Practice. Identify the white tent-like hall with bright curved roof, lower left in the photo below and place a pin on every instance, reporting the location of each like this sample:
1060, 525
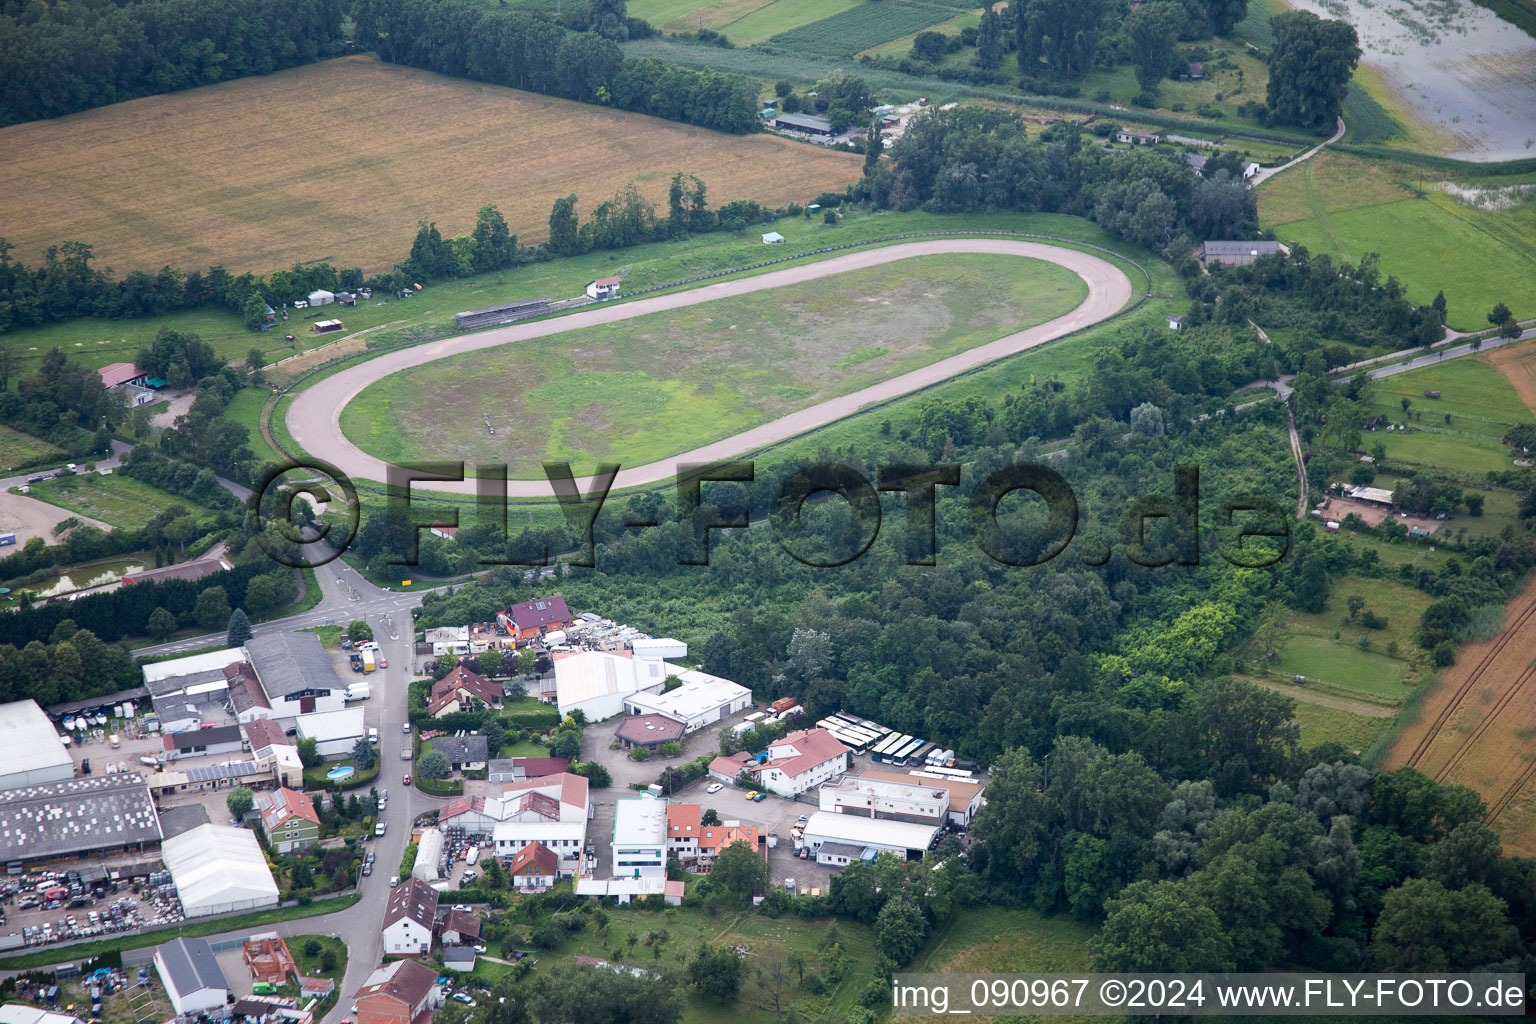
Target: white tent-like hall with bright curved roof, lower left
219, 870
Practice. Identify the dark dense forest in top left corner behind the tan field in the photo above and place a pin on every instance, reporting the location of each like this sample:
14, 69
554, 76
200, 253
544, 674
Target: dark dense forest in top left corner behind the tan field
65, 58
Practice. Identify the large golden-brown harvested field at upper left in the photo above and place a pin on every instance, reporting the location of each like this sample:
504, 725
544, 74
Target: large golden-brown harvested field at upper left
300, 183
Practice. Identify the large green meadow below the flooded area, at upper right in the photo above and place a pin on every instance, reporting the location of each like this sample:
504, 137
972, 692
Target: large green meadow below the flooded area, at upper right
1428, 239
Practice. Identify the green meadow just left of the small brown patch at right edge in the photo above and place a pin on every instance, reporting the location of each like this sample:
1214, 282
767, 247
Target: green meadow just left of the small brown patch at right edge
1458, 434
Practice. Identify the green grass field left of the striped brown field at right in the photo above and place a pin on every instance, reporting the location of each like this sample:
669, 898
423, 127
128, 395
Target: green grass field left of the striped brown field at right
1326, 647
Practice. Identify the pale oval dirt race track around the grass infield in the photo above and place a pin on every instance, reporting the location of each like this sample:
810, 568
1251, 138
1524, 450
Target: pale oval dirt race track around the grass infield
316, 417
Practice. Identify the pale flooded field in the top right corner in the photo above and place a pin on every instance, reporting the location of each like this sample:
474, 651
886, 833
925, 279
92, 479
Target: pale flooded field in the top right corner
1466, 76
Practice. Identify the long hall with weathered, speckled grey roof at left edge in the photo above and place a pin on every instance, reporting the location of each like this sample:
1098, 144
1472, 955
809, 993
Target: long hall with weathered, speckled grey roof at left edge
96, 814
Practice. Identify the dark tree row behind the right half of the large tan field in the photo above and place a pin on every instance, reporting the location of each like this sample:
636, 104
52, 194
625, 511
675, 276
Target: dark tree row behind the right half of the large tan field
528, 50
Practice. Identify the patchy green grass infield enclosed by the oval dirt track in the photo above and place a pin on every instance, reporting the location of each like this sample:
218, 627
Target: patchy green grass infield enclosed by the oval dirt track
666, 383
